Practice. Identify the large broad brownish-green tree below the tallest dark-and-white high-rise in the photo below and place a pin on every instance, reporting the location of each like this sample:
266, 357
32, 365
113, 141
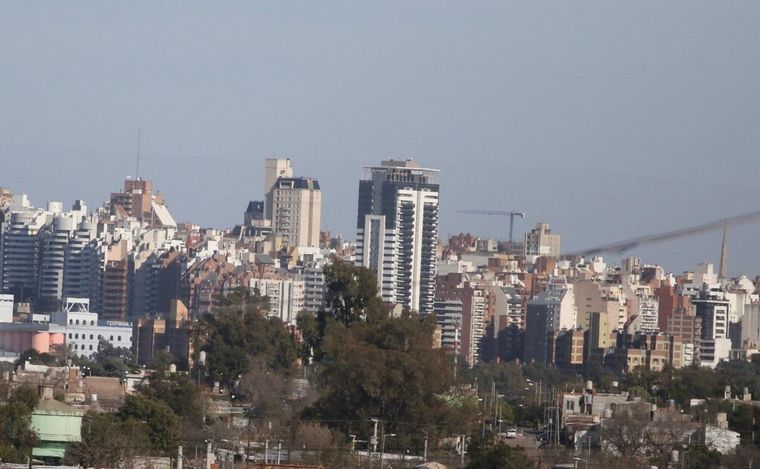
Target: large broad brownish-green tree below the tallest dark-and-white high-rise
389, 370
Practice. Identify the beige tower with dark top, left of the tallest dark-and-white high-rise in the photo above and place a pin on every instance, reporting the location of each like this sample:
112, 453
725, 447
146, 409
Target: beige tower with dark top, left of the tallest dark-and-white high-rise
296, 210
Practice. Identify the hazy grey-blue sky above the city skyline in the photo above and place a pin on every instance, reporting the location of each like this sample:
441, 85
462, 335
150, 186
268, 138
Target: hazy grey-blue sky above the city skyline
605, 119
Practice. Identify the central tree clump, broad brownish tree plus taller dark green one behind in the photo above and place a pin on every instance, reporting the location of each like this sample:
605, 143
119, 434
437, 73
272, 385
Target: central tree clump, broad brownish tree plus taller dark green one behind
377, 366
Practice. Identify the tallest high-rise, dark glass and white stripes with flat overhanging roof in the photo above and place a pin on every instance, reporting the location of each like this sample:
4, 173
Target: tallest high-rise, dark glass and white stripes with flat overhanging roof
397, 231
